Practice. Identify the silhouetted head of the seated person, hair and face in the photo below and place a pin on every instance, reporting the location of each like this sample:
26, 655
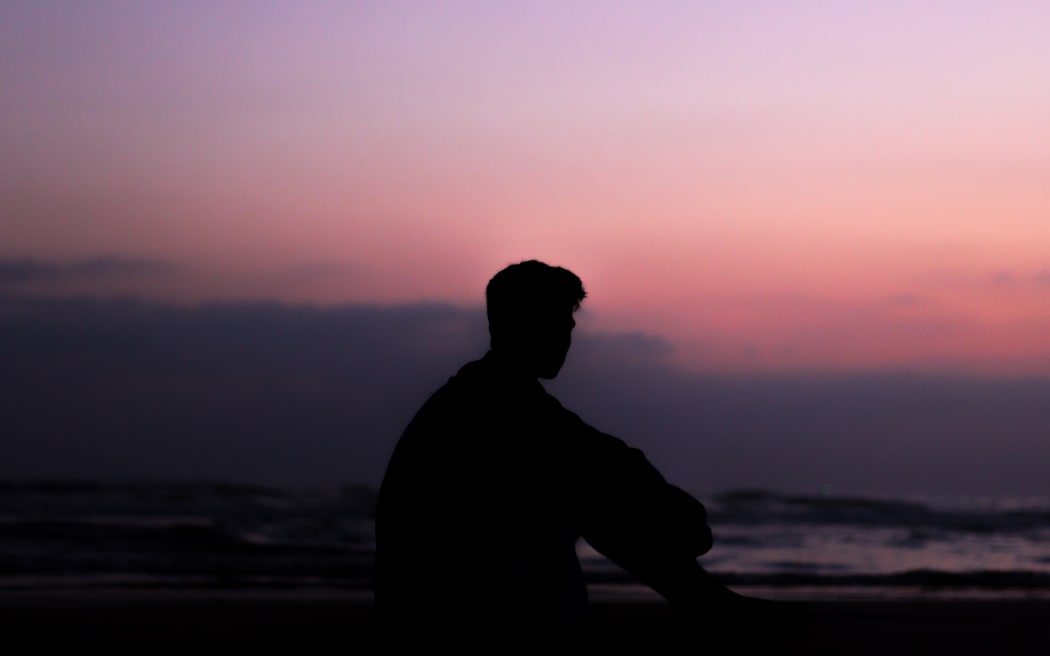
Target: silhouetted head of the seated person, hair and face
531, 308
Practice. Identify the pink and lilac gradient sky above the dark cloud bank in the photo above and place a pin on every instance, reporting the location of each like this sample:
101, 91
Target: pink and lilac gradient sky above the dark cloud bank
768, 186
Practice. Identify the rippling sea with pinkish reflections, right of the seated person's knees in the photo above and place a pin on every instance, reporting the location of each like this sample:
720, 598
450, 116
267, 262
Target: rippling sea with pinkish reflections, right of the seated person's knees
853, 547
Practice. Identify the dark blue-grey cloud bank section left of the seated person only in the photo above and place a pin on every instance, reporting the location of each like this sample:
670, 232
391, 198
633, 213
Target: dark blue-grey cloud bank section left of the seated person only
256, 391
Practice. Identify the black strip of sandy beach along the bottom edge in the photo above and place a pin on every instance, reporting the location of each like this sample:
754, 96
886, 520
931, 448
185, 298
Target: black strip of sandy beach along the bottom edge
883, 628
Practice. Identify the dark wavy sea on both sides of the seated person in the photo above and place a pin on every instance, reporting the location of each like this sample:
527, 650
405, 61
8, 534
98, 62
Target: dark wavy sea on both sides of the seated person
80, 542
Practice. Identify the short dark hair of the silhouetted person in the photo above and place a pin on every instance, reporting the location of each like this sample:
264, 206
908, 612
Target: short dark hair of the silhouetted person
529, 290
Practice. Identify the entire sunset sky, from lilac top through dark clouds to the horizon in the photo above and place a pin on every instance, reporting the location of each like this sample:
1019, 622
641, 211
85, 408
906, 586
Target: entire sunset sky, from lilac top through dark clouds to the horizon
748, 189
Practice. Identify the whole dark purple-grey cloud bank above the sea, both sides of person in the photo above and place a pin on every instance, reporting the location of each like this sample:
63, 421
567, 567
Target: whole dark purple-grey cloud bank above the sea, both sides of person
306, 395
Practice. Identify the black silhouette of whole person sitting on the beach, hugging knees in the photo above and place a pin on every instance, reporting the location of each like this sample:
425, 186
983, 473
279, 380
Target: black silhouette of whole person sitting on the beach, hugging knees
494, 482
